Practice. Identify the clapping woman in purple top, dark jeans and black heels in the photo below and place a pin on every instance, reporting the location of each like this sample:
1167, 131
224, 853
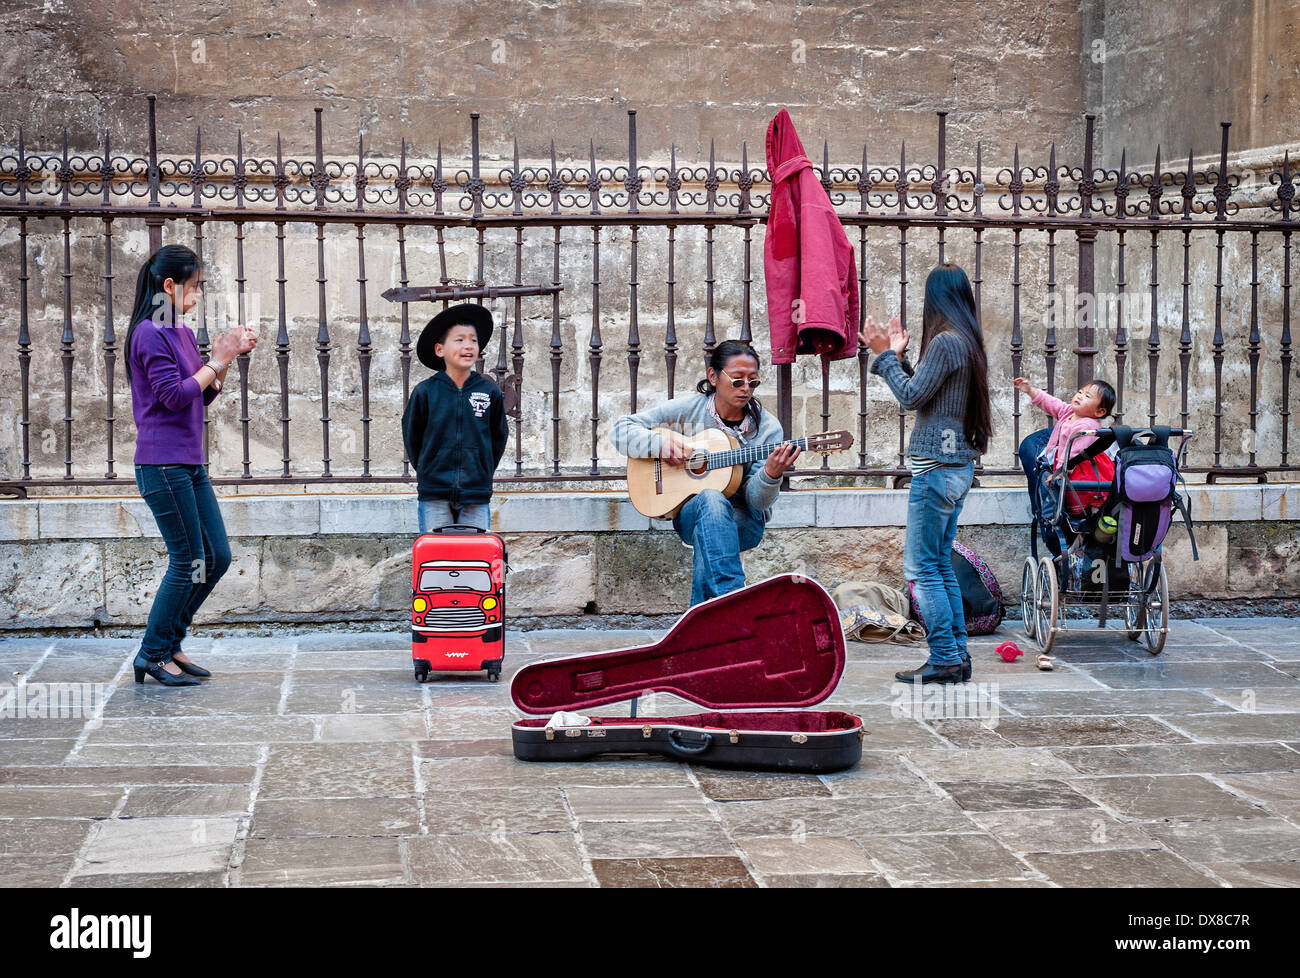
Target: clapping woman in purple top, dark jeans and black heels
171, 386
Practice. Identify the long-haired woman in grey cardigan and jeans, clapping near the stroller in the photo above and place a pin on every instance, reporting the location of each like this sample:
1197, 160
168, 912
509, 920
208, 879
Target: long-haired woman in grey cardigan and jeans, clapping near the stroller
950, 393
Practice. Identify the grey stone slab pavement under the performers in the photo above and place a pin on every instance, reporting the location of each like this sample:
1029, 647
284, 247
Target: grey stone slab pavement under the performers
318, 760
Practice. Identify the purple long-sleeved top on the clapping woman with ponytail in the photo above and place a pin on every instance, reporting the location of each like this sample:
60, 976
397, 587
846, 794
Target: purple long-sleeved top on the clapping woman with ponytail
166, 399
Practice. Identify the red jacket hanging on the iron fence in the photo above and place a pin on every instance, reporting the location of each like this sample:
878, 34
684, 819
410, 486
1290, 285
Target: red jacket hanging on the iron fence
808, 261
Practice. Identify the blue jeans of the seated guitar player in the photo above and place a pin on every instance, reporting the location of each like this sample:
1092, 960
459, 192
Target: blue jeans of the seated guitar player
718, 530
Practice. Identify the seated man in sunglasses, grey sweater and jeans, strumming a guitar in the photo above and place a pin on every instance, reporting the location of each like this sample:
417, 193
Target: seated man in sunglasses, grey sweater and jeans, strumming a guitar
717, 527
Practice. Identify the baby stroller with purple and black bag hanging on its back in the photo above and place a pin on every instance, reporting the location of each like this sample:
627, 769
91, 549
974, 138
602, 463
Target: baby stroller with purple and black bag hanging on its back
1106, 536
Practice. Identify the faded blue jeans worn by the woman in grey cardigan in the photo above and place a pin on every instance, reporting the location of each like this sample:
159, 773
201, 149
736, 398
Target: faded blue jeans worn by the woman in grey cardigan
934, 507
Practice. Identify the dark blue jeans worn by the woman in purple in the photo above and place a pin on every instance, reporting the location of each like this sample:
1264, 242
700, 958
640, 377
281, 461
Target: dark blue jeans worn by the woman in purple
189, 520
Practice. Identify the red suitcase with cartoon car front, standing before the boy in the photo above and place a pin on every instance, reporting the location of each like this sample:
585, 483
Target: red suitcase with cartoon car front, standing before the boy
458, 603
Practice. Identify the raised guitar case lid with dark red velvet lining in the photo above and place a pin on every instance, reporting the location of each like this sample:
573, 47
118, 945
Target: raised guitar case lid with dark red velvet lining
778, 643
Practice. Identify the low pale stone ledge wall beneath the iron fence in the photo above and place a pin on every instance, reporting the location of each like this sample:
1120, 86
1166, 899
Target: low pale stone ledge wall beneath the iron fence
345, 559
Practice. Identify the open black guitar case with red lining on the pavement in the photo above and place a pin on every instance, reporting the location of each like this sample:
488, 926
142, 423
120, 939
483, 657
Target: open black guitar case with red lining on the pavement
753, 659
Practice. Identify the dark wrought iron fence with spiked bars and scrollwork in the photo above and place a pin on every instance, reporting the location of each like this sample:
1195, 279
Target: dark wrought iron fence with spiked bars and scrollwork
1002, 220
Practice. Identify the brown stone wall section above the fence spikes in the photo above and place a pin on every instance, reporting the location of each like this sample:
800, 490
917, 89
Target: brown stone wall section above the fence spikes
543, 70
